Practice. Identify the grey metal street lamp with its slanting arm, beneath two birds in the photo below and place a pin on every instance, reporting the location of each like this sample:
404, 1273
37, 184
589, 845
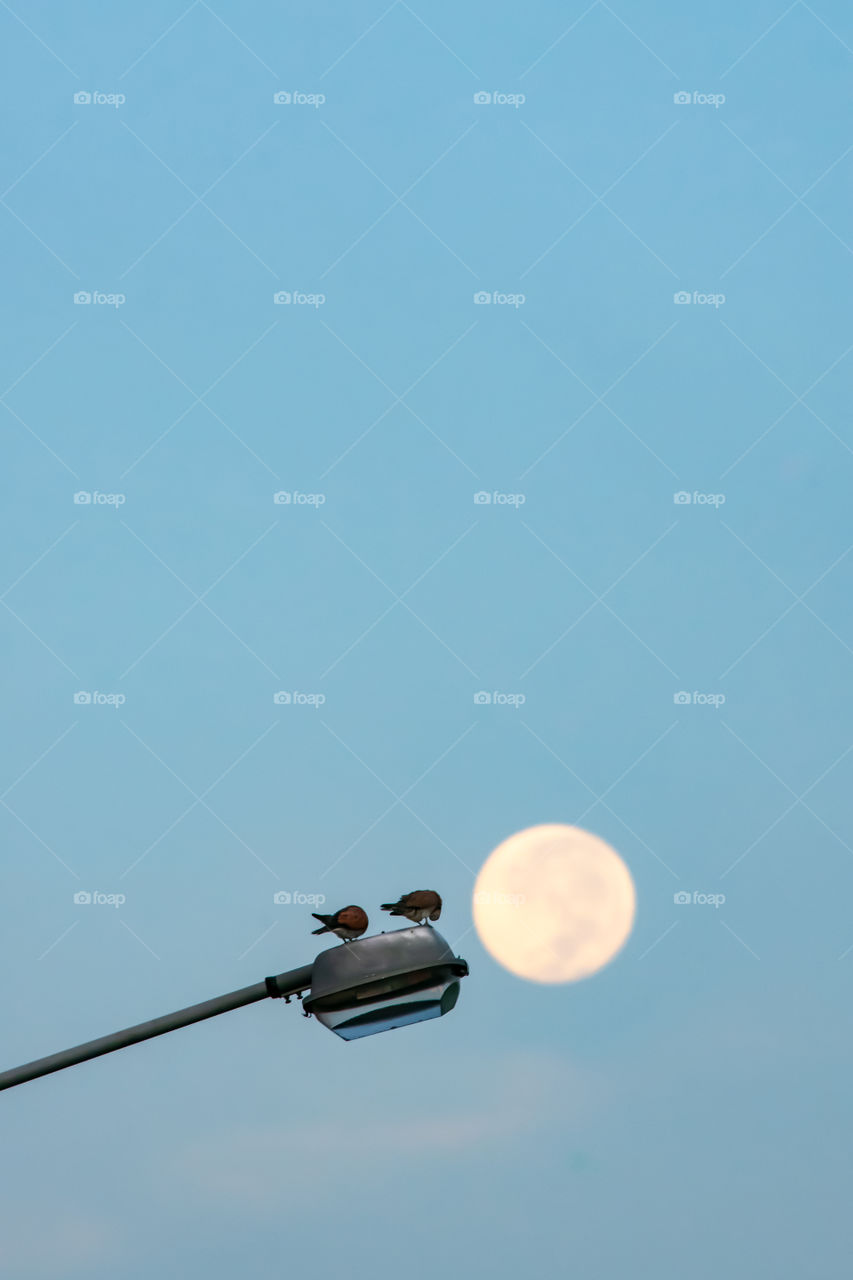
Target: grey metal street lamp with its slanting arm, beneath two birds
359, 989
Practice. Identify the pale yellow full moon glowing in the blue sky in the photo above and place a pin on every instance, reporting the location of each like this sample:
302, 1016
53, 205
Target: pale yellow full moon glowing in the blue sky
554, 904
